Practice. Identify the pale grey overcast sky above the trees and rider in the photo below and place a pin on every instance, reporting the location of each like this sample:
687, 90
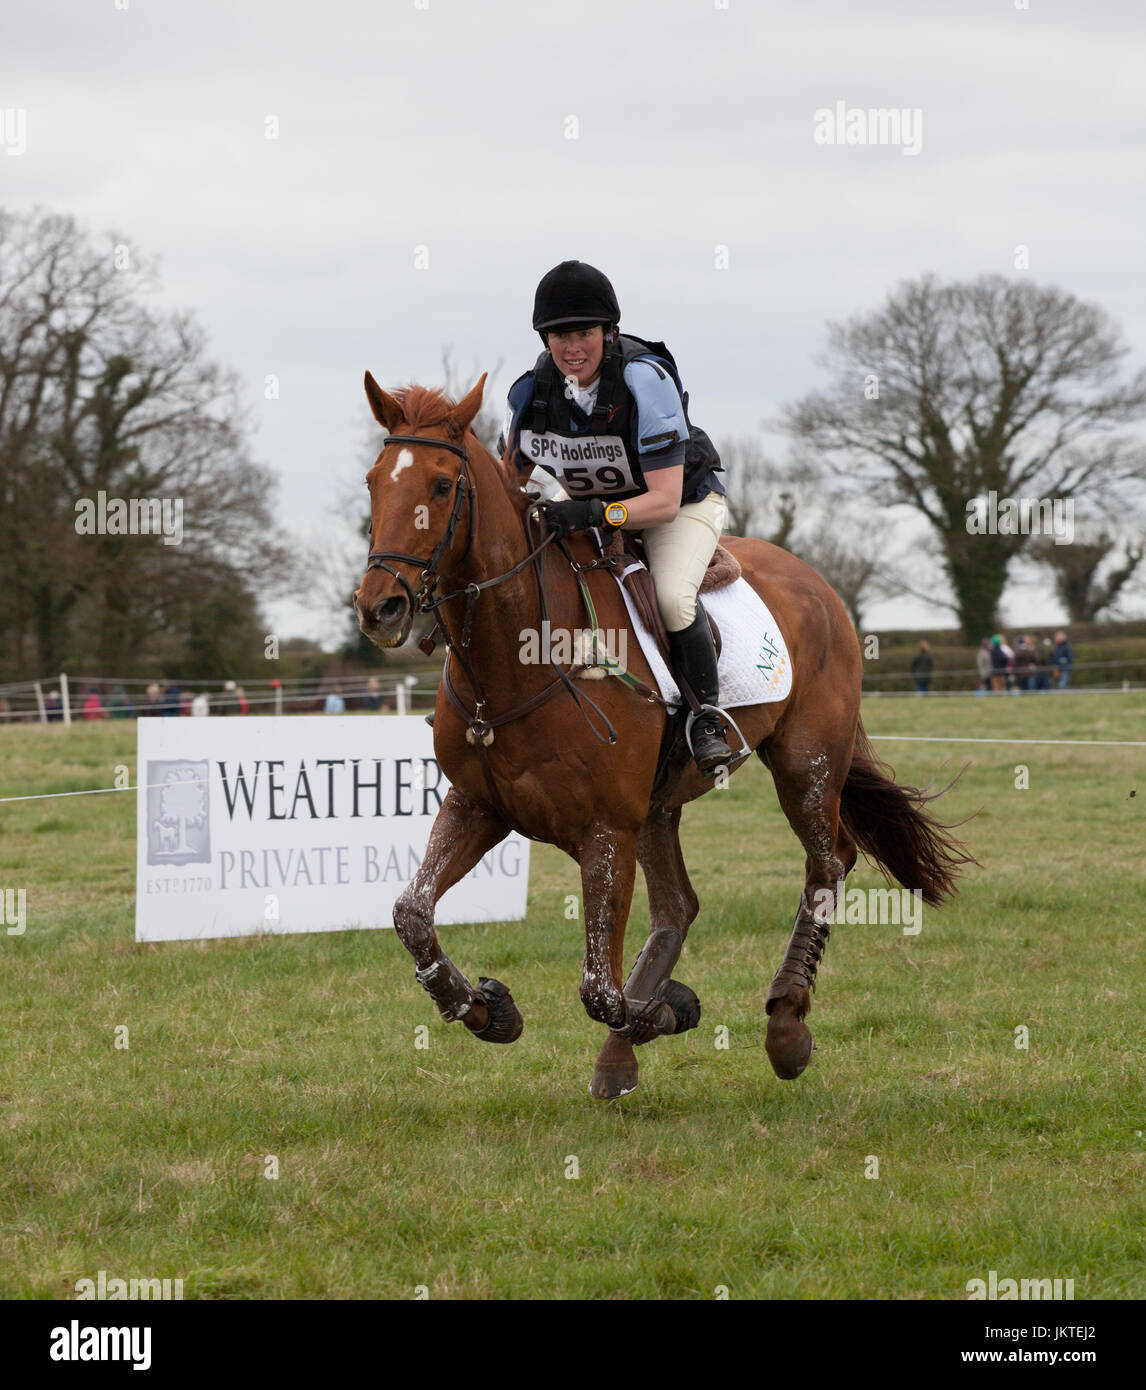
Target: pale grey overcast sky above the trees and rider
444, 124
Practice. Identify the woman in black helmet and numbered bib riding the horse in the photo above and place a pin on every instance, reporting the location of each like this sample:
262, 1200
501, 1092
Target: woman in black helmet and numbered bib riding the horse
600, 419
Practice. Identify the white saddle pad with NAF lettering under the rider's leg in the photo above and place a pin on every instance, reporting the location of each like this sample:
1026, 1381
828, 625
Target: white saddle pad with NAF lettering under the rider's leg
754, 668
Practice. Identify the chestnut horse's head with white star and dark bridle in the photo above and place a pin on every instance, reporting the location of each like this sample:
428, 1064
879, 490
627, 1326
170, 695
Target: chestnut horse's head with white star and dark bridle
422, 505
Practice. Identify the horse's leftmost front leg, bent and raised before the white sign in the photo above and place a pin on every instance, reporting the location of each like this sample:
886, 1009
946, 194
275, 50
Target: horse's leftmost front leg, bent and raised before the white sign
464, 832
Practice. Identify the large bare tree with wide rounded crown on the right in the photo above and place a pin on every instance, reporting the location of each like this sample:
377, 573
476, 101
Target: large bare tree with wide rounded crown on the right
949, 394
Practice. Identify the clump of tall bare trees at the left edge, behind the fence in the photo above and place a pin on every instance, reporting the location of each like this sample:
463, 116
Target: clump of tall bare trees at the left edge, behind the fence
102, 395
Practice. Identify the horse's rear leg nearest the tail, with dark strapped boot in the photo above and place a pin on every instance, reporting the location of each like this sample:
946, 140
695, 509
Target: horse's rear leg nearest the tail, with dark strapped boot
809, 785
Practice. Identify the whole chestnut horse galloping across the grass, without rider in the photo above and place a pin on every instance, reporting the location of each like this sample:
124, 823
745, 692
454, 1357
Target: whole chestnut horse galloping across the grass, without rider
524, 744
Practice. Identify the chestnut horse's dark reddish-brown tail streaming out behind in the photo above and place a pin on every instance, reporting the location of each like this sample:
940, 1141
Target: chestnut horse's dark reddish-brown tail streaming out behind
891, 826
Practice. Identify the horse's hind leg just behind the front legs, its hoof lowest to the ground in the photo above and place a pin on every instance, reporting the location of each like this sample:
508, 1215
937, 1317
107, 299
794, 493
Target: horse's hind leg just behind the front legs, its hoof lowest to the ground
672, 908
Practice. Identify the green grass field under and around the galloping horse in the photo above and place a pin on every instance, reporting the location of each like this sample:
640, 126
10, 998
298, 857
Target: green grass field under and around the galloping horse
446, 1168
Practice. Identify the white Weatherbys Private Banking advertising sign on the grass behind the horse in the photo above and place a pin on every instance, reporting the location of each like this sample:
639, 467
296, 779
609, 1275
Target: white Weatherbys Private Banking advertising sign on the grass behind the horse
304, 824
